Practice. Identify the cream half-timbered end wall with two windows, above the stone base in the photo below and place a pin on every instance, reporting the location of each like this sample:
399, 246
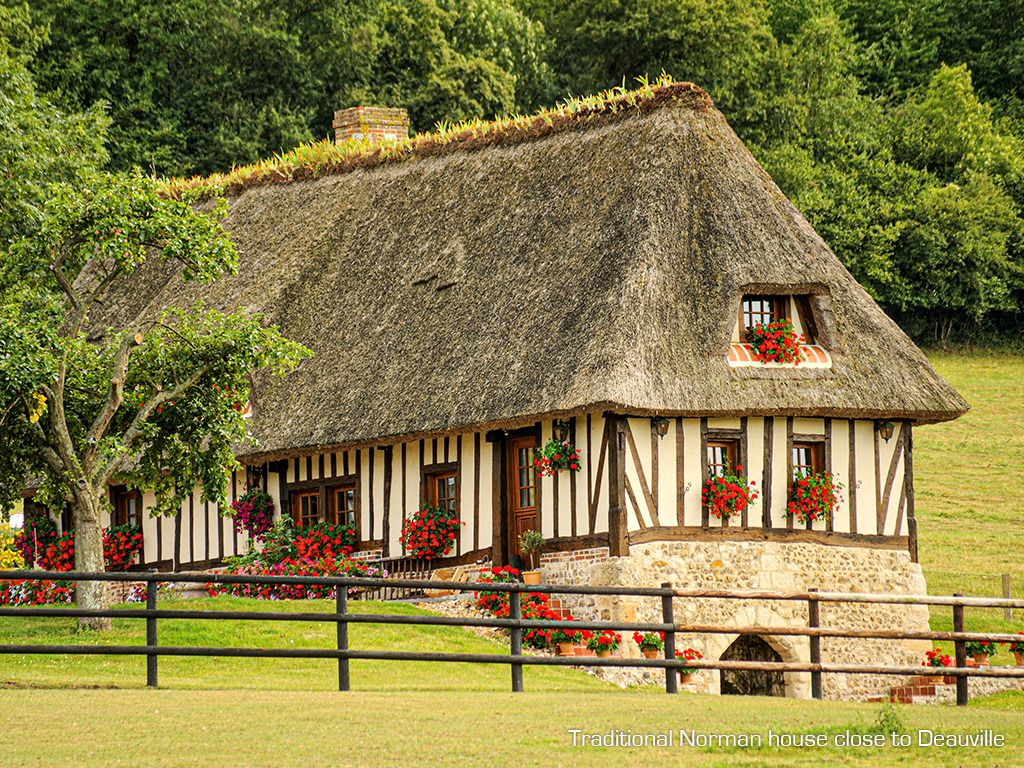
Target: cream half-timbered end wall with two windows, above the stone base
664, 476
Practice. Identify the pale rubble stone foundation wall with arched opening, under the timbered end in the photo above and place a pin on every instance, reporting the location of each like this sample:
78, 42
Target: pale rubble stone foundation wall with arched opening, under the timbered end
765, 566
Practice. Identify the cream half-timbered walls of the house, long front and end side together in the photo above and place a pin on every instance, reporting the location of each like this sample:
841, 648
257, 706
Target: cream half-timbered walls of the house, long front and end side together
659, 493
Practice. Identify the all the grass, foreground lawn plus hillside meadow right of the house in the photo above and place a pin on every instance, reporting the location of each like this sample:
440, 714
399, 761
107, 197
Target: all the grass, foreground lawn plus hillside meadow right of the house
95, 711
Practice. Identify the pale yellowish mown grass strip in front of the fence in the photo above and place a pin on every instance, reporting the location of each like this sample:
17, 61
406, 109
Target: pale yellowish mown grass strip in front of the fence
153, 730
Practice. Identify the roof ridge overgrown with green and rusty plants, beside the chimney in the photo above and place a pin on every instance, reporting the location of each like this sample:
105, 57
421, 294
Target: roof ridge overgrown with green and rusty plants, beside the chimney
326, 158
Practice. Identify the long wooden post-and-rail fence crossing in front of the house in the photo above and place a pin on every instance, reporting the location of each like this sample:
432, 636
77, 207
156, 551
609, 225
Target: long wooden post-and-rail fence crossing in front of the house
343, 618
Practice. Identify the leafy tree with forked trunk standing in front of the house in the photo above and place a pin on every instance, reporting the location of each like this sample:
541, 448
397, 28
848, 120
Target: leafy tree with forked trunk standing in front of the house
155, 400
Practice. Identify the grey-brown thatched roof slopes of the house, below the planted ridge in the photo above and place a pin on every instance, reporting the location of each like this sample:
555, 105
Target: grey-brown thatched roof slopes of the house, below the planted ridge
600, 268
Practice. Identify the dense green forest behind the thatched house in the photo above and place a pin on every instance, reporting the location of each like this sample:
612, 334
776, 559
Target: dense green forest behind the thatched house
897, 126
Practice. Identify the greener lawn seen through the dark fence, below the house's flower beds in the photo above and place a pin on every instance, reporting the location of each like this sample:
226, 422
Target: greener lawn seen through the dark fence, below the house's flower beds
184, 673
